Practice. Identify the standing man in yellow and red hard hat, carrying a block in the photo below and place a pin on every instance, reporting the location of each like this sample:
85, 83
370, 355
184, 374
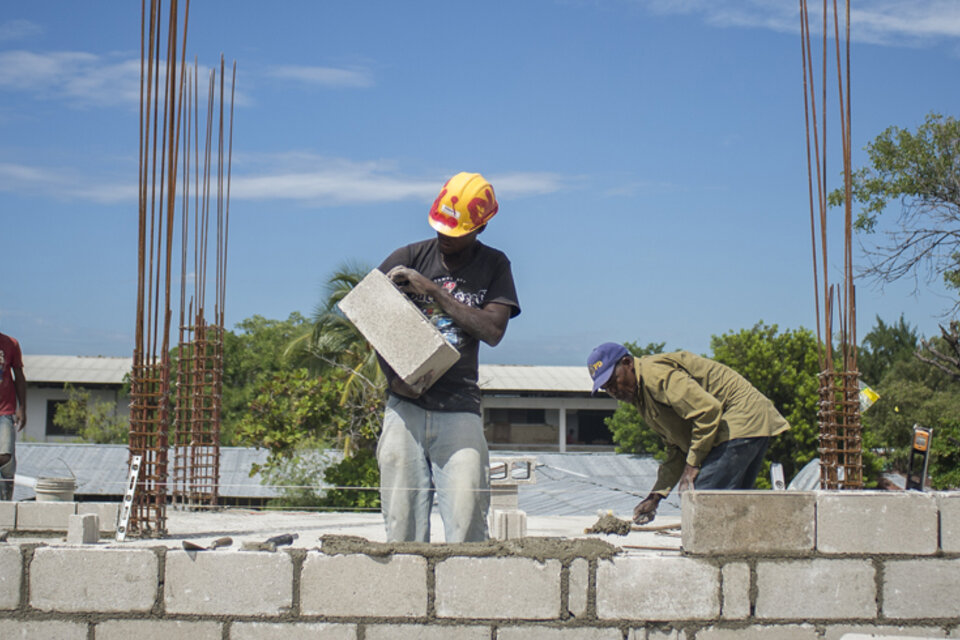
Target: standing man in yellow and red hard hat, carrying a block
434, 441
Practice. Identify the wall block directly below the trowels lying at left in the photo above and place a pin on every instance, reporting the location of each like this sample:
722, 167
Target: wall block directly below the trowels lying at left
229, 583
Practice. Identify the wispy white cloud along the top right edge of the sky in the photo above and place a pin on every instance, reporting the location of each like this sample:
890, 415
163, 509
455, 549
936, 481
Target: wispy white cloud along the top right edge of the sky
892, 22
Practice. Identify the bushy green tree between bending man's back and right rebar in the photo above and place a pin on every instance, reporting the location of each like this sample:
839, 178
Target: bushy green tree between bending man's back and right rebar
783, 367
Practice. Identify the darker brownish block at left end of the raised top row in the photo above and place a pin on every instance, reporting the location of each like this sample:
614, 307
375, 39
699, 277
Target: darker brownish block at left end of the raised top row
754, 522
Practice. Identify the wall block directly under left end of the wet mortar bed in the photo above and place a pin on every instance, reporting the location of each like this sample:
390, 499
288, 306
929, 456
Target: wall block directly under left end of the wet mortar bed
353, 585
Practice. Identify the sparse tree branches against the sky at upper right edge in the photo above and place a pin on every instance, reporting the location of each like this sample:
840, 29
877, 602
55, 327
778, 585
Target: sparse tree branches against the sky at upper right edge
920, 171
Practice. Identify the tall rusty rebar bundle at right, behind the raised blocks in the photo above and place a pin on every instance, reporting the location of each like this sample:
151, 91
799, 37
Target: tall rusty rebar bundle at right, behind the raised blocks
840, 447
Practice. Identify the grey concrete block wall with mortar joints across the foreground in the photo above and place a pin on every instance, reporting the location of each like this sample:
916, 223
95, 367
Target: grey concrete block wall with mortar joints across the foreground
519, 590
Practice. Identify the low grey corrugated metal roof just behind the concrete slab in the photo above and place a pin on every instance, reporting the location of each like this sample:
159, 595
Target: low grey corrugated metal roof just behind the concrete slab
567, 483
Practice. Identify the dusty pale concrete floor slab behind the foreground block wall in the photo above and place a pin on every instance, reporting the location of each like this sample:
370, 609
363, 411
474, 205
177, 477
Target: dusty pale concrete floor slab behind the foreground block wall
249, 525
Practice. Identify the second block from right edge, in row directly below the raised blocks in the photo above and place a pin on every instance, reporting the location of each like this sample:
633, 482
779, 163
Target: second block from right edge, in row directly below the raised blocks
816, 589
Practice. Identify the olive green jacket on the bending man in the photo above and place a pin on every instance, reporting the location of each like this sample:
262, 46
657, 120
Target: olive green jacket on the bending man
694, 403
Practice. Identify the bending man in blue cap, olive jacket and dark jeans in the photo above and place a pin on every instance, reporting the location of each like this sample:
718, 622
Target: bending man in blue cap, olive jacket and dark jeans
716, 425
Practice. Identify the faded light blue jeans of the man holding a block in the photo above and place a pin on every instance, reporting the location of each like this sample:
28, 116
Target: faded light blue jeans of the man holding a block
421, 452
